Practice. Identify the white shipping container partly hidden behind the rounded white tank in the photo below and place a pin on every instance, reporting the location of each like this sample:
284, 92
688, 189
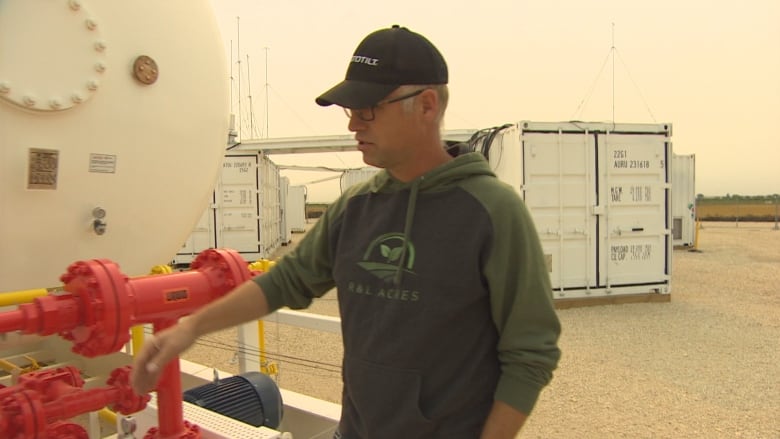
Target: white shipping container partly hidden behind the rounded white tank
245, 214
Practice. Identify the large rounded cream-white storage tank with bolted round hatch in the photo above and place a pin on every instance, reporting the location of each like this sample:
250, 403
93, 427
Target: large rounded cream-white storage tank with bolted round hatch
113, 121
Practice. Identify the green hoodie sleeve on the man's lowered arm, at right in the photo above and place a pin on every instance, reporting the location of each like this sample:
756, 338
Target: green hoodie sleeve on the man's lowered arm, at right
521, 300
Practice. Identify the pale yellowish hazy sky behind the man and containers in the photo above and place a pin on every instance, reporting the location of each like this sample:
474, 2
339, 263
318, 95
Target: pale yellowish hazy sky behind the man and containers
709, 67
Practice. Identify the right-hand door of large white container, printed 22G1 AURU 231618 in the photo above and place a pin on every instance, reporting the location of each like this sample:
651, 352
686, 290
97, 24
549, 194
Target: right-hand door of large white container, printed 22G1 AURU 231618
635, 220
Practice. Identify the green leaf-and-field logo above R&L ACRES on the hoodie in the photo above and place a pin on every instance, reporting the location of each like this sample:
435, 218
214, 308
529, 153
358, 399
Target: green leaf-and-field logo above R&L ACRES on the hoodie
387, 255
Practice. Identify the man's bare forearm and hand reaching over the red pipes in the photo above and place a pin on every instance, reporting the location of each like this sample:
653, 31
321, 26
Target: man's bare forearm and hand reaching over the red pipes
245, 303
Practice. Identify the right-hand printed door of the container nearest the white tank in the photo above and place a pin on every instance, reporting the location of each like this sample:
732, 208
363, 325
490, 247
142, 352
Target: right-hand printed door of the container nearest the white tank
238, 222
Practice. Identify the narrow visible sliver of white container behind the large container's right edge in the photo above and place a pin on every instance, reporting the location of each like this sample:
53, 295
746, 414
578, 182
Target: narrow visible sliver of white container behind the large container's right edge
683, 200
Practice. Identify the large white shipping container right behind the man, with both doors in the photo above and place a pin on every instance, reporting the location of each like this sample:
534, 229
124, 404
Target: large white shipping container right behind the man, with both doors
599, 197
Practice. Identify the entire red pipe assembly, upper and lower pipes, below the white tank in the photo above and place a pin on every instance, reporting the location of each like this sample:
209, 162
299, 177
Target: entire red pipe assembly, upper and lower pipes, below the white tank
96, 310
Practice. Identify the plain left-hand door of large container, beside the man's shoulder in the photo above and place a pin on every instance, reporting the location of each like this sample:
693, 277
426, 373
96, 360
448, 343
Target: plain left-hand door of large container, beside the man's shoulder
559, 190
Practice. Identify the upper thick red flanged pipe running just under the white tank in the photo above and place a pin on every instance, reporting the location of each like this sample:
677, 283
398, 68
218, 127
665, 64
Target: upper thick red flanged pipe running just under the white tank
100, 304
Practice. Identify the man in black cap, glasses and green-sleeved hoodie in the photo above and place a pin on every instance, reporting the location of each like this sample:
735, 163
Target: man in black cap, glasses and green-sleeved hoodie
448, 324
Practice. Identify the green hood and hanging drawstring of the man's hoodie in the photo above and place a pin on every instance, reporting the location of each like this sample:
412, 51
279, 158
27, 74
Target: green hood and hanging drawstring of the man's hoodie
440, 178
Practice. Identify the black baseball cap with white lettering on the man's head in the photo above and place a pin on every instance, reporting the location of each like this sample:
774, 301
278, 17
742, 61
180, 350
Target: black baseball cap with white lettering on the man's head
385, 60
